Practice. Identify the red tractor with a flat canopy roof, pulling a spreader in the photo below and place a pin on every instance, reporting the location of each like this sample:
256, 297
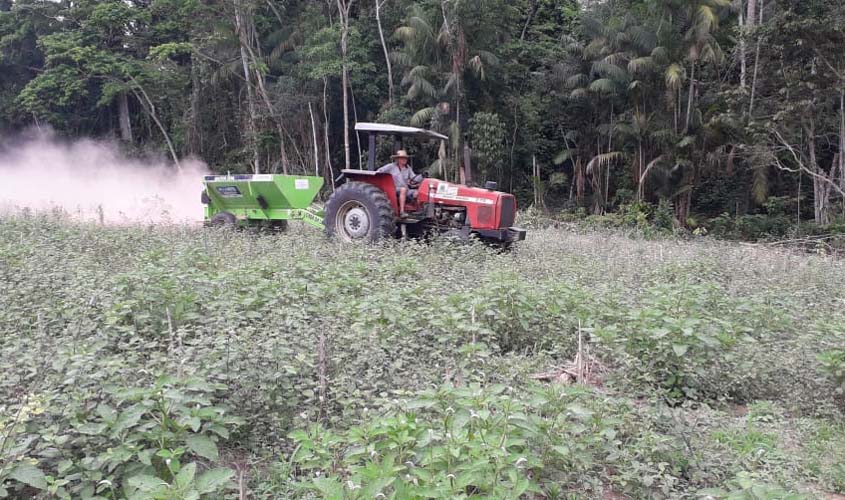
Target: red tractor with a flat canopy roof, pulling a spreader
366, 205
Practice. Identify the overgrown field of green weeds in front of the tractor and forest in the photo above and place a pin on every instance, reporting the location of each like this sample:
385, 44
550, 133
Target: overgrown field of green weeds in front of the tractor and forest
174, 362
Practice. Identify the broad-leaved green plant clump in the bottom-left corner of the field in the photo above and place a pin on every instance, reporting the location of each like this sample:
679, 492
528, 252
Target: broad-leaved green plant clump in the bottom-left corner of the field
136, 447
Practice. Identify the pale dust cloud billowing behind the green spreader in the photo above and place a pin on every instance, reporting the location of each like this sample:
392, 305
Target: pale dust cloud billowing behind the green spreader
91, 180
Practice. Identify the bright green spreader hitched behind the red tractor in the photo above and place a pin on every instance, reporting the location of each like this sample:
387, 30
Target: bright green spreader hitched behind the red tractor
265, 199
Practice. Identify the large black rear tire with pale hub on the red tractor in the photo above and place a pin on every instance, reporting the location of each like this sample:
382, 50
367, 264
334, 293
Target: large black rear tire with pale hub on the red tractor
358, 211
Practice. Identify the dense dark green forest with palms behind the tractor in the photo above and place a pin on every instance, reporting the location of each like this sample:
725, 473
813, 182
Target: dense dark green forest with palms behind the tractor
708, 106
